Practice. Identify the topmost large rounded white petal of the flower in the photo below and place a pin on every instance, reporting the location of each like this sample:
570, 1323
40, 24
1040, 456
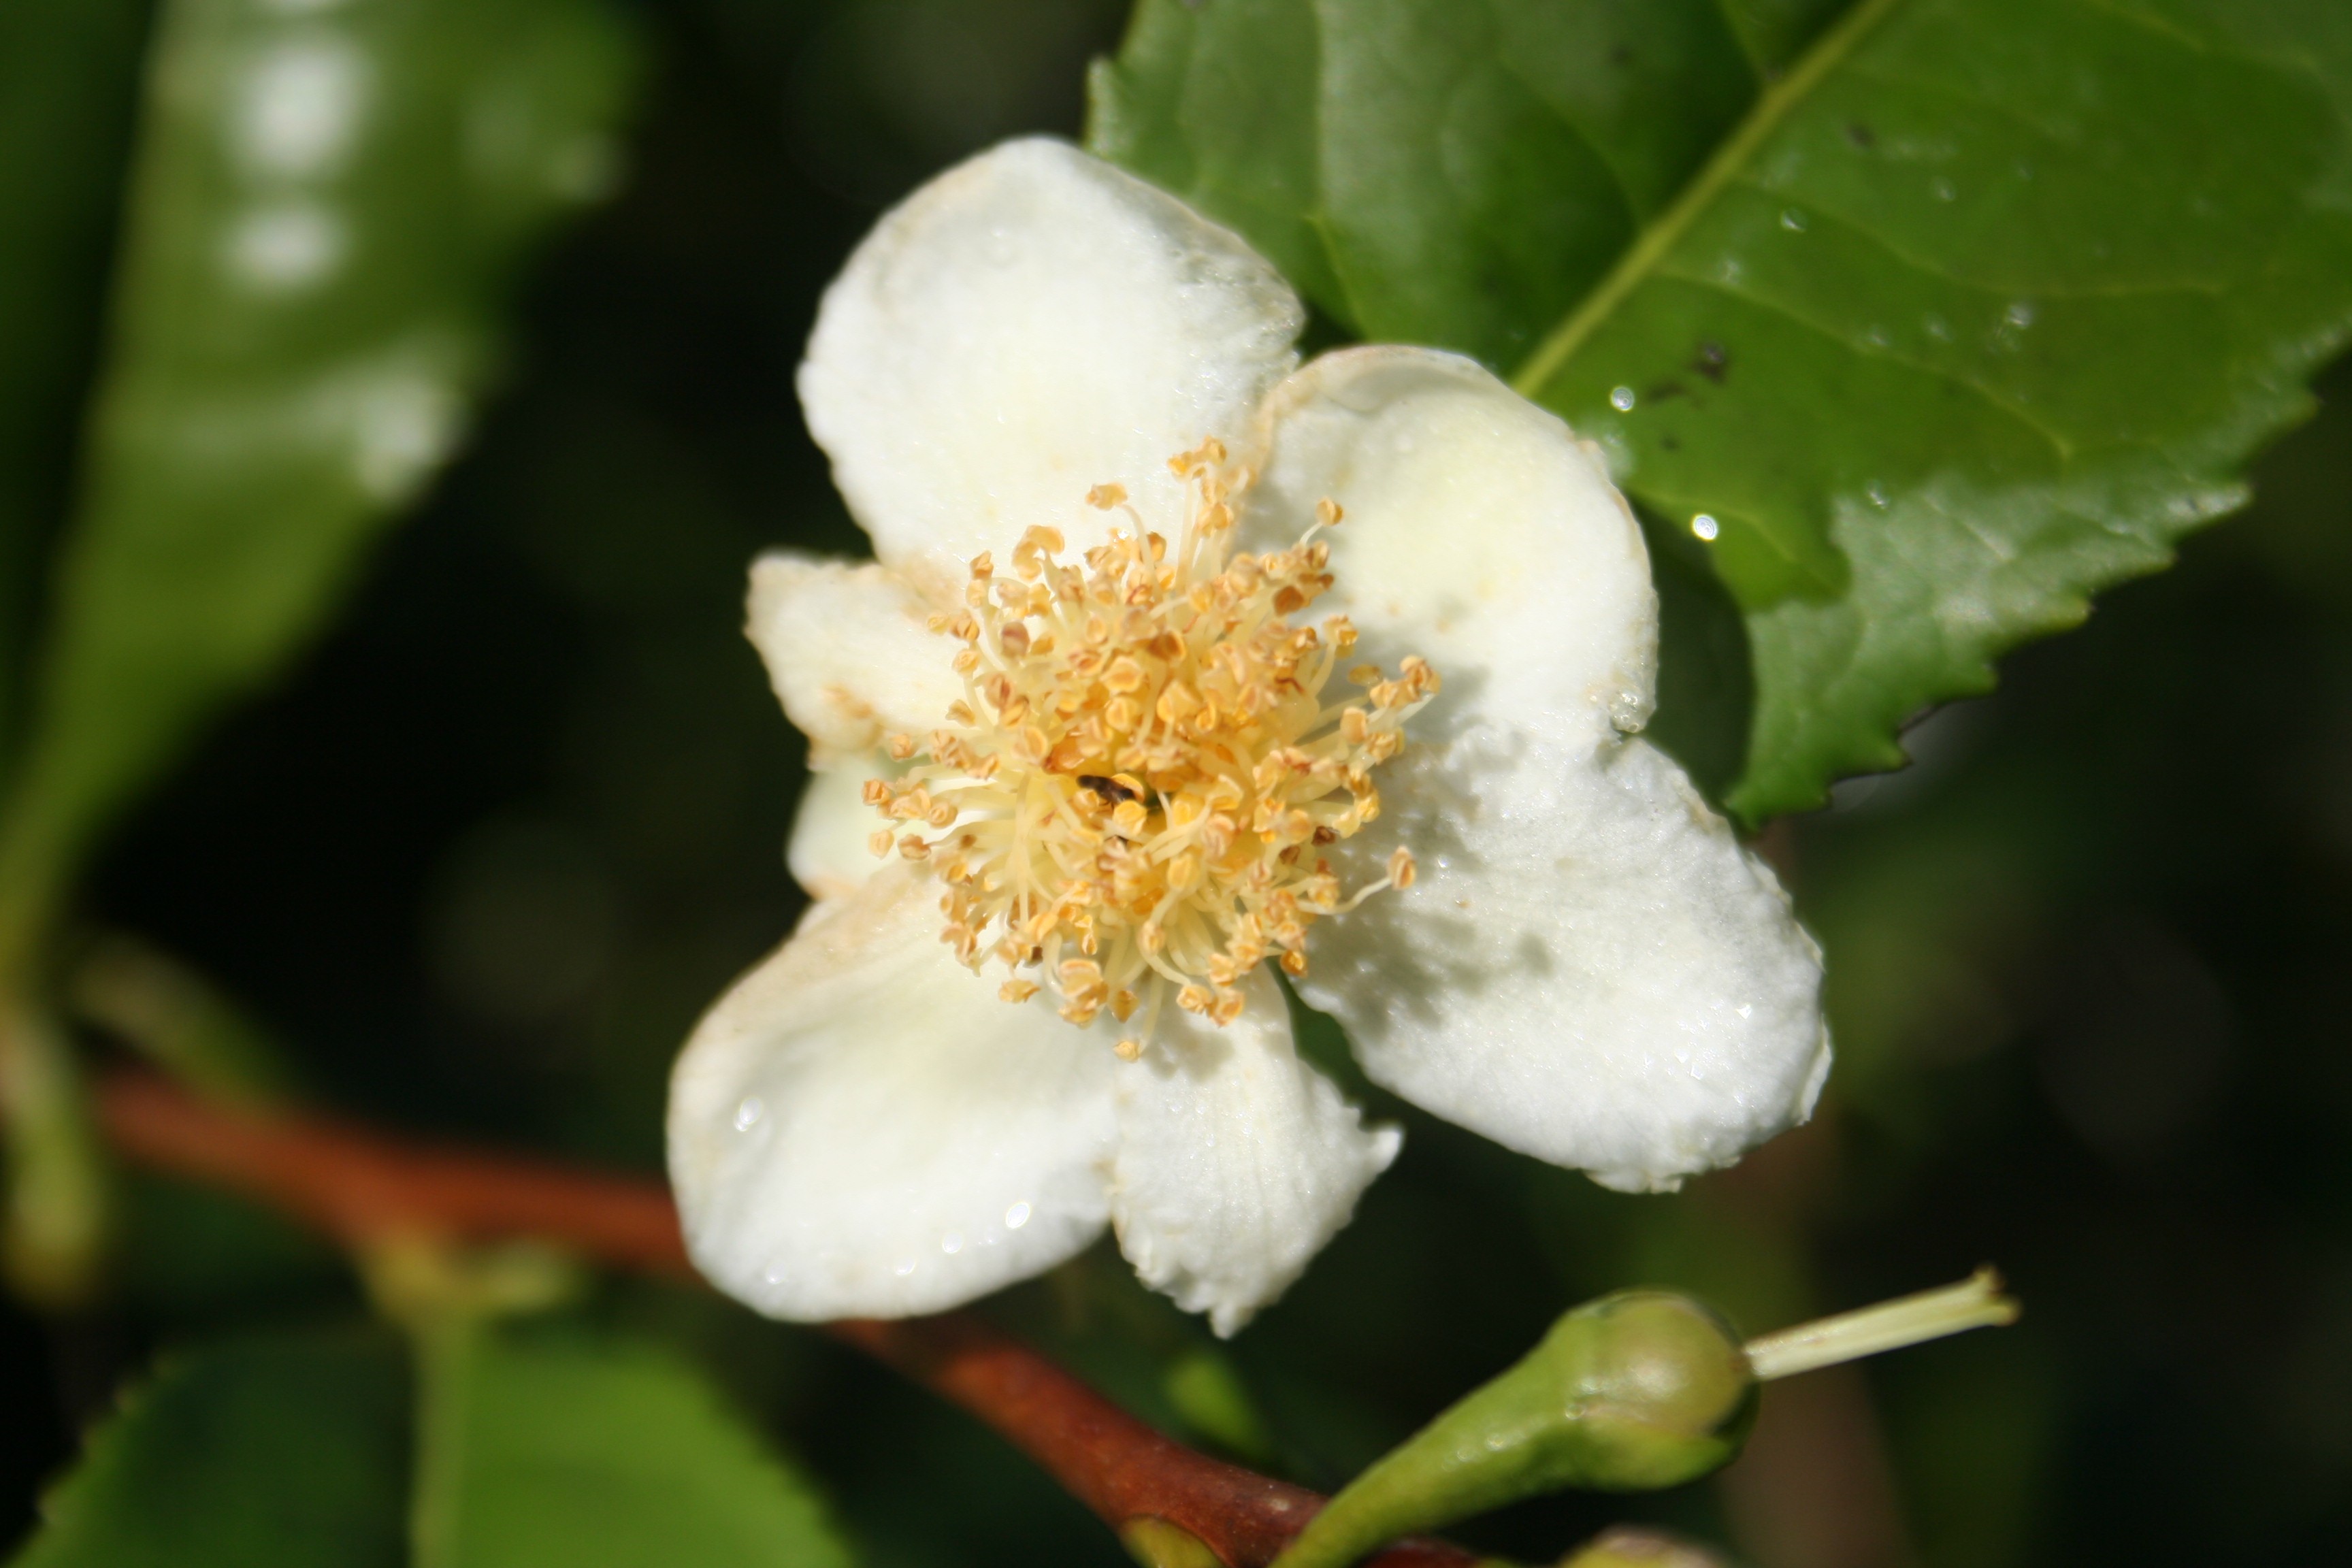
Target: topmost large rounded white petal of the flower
1020, 330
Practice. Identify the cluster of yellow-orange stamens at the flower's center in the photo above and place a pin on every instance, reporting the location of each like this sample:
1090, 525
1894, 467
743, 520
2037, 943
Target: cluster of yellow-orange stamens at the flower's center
1132, 793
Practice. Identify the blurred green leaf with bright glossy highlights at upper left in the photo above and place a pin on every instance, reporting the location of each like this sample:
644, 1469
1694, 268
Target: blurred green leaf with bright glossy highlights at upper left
328, 210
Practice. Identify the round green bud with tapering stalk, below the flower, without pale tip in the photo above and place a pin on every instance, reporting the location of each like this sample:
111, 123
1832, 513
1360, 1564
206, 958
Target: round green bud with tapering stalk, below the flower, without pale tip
1629, 1393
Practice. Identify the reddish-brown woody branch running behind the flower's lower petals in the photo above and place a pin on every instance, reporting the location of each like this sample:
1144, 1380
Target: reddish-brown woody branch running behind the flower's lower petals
366, 1188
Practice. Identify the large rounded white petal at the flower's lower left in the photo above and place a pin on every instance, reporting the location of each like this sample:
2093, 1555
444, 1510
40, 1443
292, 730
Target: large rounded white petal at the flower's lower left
862, 1130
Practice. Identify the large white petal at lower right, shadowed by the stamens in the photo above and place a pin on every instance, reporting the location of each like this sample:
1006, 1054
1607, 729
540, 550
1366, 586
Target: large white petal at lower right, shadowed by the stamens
1589, 967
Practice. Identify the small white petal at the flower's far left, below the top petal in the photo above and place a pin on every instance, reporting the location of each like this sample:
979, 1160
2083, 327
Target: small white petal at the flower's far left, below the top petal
848, 652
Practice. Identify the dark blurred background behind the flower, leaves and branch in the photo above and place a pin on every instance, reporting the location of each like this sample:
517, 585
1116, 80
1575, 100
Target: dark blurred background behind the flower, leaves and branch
500, 838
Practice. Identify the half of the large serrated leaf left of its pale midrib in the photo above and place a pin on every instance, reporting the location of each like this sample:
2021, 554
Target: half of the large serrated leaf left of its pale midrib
1438, 170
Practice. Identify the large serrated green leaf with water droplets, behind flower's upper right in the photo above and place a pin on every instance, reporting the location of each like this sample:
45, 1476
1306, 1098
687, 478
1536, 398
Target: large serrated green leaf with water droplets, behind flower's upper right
1944, 323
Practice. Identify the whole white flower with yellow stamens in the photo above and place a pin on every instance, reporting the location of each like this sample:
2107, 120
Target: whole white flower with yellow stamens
1563, 949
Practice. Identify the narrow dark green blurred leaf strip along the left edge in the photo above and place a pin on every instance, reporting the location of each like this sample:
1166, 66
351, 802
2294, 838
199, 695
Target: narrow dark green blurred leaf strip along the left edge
69, 74
